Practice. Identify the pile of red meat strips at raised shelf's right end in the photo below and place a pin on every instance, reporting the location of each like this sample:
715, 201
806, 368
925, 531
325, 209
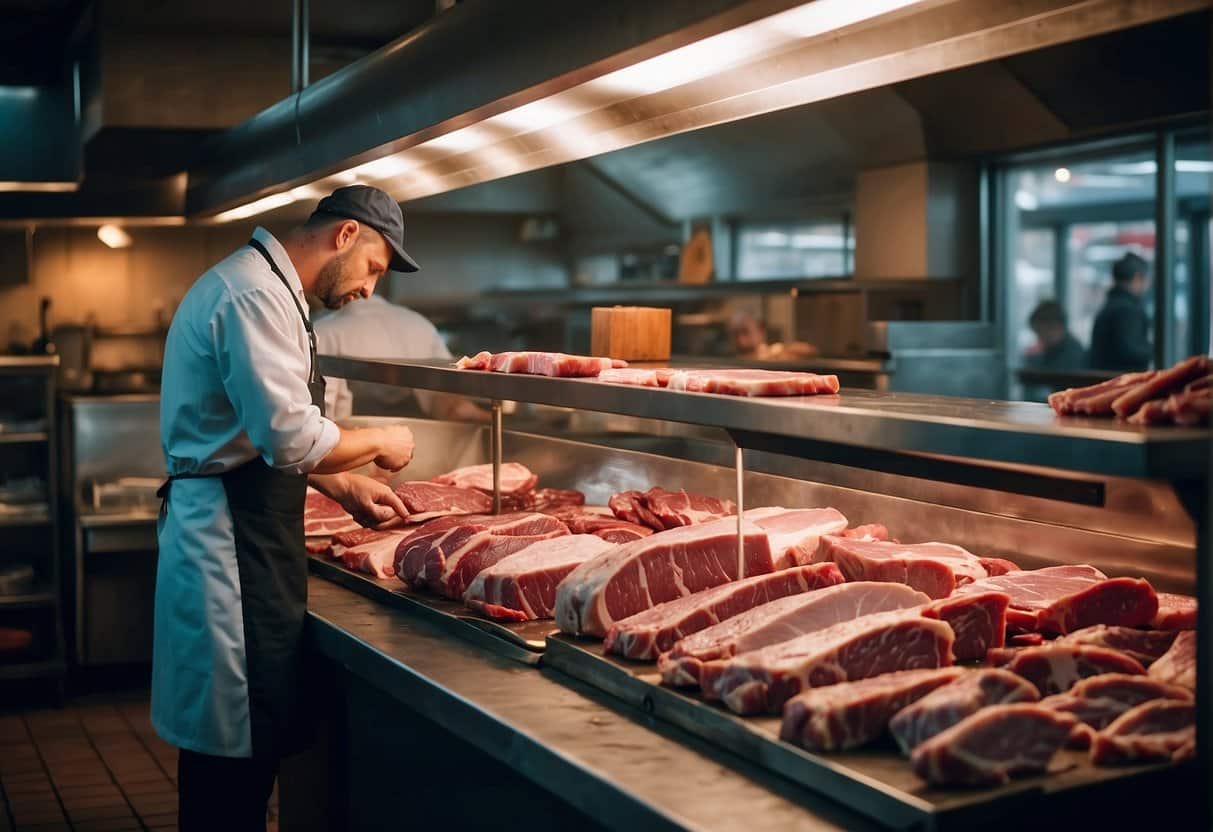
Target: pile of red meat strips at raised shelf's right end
1180, 395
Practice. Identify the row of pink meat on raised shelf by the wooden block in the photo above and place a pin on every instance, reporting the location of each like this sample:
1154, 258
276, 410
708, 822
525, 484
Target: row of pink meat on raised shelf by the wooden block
614, 372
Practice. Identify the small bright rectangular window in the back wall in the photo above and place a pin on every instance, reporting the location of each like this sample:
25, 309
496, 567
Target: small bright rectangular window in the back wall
795, 250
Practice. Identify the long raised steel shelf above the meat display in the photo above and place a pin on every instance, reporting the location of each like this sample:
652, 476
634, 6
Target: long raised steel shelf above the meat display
995, 432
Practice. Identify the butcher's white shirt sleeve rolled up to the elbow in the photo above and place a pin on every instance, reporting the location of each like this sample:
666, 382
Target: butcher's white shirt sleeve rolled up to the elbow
265, 375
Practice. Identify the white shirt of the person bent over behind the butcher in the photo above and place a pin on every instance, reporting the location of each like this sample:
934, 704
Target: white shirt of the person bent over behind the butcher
377, 328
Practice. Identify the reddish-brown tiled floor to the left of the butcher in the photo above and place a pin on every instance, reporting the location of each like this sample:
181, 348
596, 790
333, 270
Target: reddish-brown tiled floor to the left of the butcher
95, 766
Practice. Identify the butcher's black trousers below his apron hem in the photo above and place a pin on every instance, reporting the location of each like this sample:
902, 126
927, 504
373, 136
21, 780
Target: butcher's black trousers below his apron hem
225, 794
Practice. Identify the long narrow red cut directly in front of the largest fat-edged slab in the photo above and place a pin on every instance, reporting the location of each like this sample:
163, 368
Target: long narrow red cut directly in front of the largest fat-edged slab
652, 632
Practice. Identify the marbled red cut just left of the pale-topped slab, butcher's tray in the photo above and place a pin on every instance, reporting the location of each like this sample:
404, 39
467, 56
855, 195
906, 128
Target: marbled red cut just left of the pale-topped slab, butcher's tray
446, 555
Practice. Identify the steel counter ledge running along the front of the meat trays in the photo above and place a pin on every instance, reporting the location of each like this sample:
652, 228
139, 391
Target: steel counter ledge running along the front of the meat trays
612, 762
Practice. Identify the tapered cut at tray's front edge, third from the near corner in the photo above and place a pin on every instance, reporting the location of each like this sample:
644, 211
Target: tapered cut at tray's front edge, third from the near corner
853, 714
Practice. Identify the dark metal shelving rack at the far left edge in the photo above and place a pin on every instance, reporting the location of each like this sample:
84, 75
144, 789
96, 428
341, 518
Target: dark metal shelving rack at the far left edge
45, 599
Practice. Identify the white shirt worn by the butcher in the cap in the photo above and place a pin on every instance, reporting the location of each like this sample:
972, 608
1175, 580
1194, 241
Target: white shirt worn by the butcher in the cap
236, 372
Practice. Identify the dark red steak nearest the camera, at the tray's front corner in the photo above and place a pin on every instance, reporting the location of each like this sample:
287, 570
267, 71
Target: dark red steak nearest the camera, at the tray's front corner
993, 745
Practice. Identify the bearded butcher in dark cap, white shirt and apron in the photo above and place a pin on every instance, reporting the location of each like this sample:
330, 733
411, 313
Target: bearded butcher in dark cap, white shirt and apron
244, 434
